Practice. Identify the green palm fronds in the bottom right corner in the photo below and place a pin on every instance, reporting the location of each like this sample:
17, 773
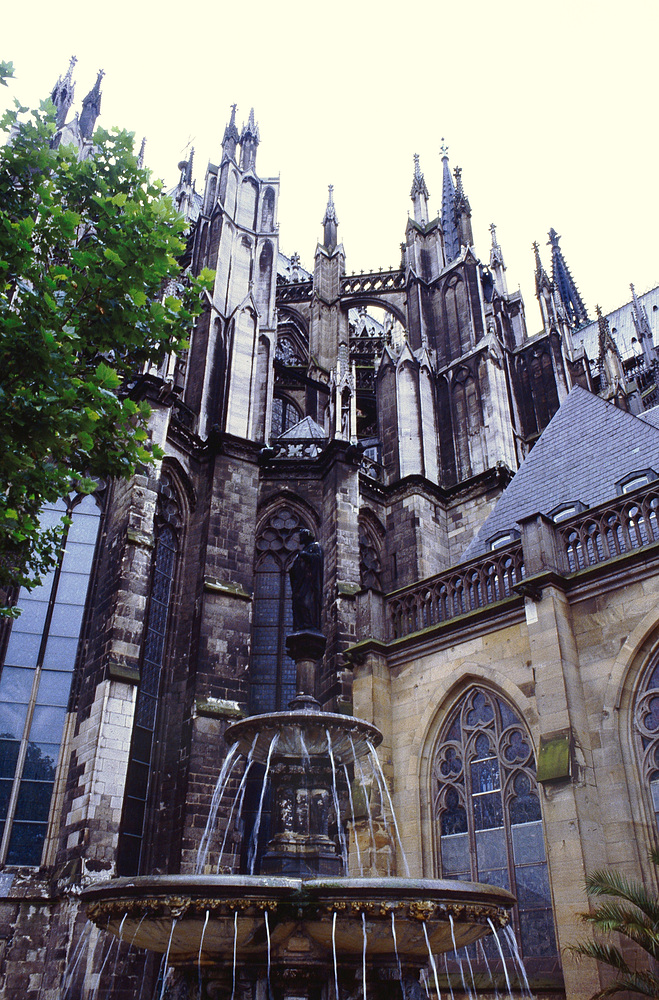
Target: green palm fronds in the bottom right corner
631, 911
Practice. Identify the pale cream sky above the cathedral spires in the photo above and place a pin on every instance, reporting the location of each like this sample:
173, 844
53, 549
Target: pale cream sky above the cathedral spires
550, 110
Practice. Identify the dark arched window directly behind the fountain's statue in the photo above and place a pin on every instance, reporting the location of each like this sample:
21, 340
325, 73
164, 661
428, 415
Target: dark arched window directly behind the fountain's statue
272, 671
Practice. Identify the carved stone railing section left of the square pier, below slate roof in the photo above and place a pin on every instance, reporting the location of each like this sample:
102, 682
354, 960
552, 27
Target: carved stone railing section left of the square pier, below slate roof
461, 589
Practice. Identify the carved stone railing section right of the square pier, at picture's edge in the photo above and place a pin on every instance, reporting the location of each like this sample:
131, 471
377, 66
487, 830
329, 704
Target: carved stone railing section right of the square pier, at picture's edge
609, 530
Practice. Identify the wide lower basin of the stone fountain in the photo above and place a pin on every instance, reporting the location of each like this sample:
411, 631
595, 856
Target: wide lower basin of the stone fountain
209, 918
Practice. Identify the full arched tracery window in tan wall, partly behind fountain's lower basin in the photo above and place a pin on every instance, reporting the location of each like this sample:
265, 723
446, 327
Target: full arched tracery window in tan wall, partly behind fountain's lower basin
486, 811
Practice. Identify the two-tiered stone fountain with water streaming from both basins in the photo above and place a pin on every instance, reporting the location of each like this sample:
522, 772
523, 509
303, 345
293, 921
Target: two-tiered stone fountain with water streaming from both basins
303, 928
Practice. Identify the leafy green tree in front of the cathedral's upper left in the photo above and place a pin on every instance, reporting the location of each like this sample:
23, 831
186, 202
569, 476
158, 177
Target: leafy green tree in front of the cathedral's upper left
86, 249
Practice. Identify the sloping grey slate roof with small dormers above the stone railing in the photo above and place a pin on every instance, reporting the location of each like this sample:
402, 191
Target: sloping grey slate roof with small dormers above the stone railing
587, 447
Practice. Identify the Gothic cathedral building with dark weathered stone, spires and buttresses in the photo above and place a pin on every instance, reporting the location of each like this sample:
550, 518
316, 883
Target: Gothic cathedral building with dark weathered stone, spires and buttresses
487, 501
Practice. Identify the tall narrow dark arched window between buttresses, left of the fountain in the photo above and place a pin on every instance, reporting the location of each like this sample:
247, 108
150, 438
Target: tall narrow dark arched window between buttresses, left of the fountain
168, 523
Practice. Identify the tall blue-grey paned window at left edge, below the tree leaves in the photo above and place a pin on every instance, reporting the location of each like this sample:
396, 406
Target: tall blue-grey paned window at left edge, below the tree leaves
36, 682
